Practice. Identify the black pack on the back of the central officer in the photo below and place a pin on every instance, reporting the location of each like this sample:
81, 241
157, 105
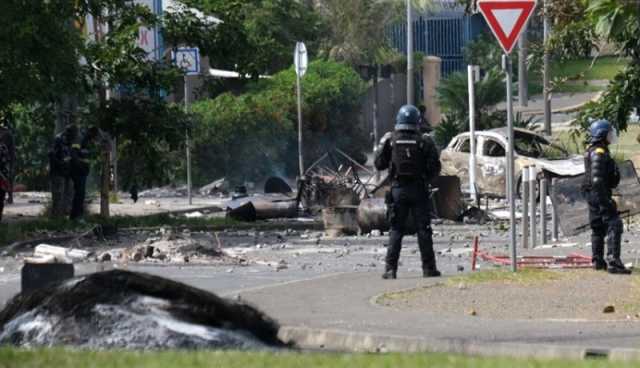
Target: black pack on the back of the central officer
407, 154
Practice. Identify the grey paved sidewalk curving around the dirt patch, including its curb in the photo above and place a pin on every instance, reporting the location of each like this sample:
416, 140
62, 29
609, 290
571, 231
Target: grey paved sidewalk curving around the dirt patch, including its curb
338, 312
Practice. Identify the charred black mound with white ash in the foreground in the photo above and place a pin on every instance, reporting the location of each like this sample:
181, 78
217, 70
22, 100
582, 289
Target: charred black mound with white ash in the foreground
127, 310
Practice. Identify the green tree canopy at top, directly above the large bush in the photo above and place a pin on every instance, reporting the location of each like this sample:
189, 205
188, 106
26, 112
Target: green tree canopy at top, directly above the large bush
256, 37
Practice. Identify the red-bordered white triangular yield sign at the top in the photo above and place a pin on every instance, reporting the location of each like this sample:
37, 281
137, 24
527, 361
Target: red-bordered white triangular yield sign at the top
507, 19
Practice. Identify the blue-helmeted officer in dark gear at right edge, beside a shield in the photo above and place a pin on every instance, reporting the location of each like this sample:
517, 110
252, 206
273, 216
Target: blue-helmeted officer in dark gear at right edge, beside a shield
601, 176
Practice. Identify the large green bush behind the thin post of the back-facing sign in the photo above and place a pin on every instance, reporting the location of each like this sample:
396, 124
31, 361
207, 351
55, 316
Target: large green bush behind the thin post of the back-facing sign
252, 135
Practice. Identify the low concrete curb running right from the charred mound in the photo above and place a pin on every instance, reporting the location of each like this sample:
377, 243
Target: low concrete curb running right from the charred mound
362, 342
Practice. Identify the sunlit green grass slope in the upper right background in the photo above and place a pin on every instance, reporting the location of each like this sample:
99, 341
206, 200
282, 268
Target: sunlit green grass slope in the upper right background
605, 68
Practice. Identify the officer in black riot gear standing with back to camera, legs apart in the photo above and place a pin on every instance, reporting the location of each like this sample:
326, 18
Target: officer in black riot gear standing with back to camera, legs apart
413, 161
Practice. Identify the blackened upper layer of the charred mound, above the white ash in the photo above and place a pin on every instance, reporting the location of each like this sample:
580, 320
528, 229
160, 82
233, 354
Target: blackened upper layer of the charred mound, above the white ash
76, 300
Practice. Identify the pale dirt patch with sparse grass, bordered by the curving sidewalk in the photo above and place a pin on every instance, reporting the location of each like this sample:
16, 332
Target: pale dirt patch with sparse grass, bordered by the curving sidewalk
564, 295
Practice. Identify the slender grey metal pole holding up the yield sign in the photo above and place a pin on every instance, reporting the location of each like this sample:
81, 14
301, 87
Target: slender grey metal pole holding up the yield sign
511, 169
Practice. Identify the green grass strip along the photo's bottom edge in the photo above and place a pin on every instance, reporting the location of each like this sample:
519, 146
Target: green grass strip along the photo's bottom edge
58, 358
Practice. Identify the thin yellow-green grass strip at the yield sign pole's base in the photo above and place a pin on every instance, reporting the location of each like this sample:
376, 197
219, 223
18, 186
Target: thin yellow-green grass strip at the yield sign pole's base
523, 276
